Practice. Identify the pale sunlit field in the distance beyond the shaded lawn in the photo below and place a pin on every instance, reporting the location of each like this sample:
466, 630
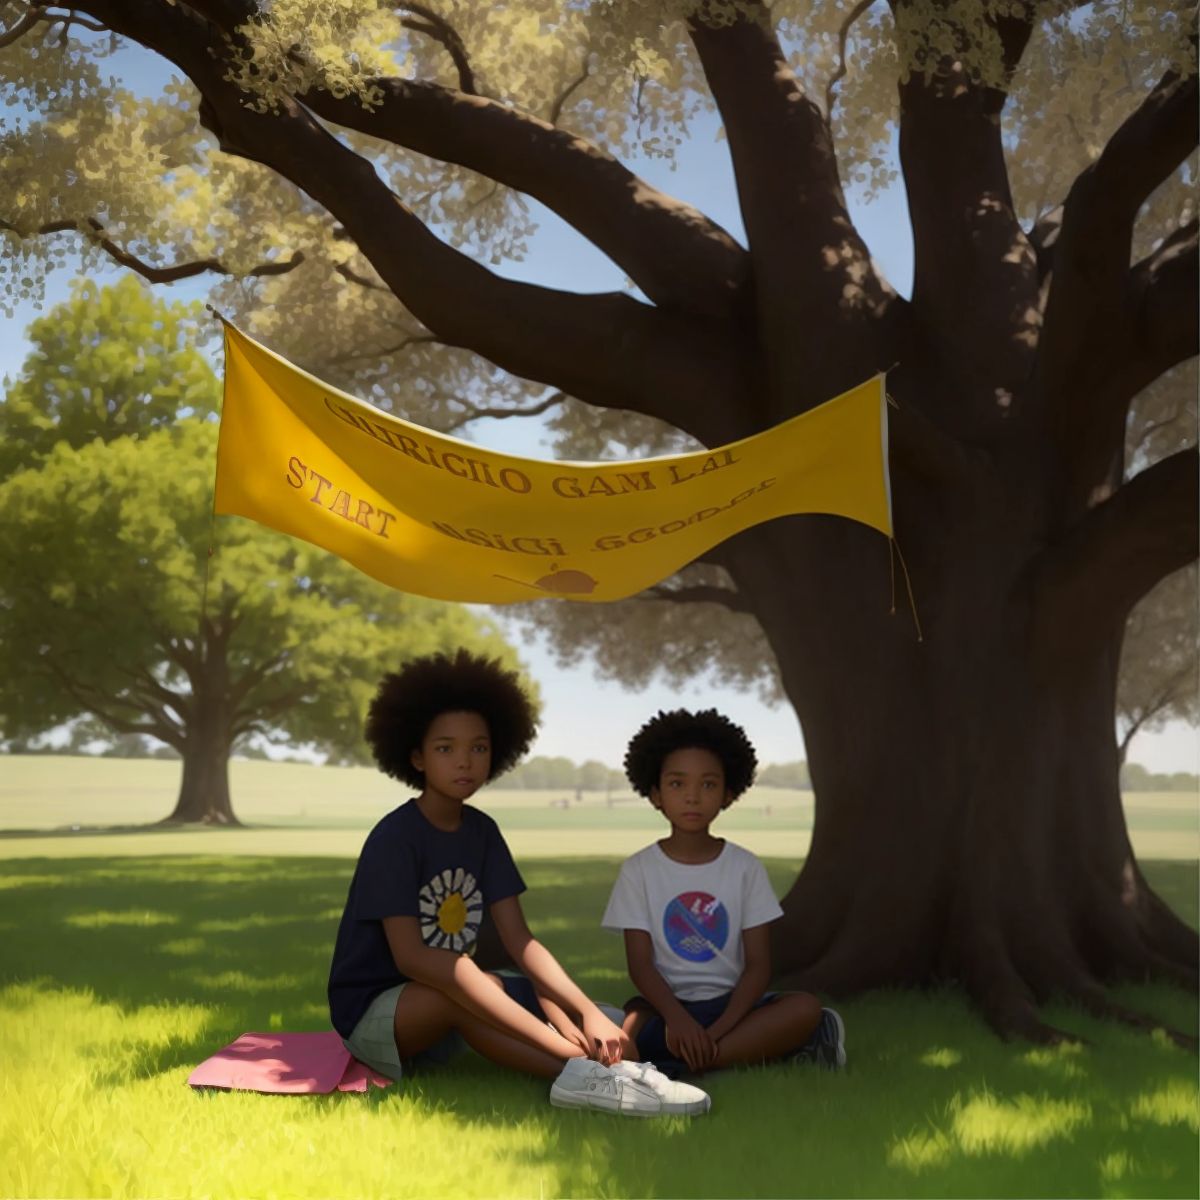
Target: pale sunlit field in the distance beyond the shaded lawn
298, 809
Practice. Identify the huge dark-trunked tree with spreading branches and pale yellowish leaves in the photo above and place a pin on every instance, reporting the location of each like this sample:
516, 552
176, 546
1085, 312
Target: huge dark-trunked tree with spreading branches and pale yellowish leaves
363, 164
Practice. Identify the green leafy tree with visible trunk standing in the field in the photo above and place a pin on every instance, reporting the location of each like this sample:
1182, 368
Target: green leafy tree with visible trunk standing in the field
104, 550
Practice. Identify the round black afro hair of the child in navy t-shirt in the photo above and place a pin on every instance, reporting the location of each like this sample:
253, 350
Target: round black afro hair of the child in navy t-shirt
409, 703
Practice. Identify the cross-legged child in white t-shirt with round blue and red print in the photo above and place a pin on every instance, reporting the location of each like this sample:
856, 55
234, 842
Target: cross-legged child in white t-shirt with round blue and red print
695, 910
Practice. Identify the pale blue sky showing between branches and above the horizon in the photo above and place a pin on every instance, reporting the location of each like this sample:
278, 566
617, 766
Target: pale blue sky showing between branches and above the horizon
586, 718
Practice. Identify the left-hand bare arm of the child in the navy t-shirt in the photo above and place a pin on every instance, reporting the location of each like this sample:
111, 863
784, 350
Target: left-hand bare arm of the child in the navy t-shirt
458, 977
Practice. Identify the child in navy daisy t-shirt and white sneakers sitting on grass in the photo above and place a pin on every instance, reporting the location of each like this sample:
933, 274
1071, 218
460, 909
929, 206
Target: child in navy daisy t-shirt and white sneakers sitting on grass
403, 982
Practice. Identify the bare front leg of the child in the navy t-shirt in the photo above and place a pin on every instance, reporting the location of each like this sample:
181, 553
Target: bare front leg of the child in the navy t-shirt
425, 1016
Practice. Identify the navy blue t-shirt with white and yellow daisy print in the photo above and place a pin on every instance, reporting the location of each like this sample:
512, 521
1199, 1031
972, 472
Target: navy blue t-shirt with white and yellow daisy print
410, 868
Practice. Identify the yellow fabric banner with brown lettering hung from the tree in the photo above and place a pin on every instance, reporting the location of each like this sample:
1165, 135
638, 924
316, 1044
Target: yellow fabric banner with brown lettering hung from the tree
441, 518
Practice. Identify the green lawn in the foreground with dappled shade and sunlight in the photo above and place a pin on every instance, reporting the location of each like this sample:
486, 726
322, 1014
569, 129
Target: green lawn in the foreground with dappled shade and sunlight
119, 974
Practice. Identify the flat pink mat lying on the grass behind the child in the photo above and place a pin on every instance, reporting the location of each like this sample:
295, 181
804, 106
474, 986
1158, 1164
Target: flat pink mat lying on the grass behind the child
286, 1064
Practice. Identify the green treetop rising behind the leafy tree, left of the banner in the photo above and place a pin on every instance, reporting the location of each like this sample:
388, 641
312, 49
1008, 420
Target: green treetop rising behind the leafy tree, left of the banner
112, 362
